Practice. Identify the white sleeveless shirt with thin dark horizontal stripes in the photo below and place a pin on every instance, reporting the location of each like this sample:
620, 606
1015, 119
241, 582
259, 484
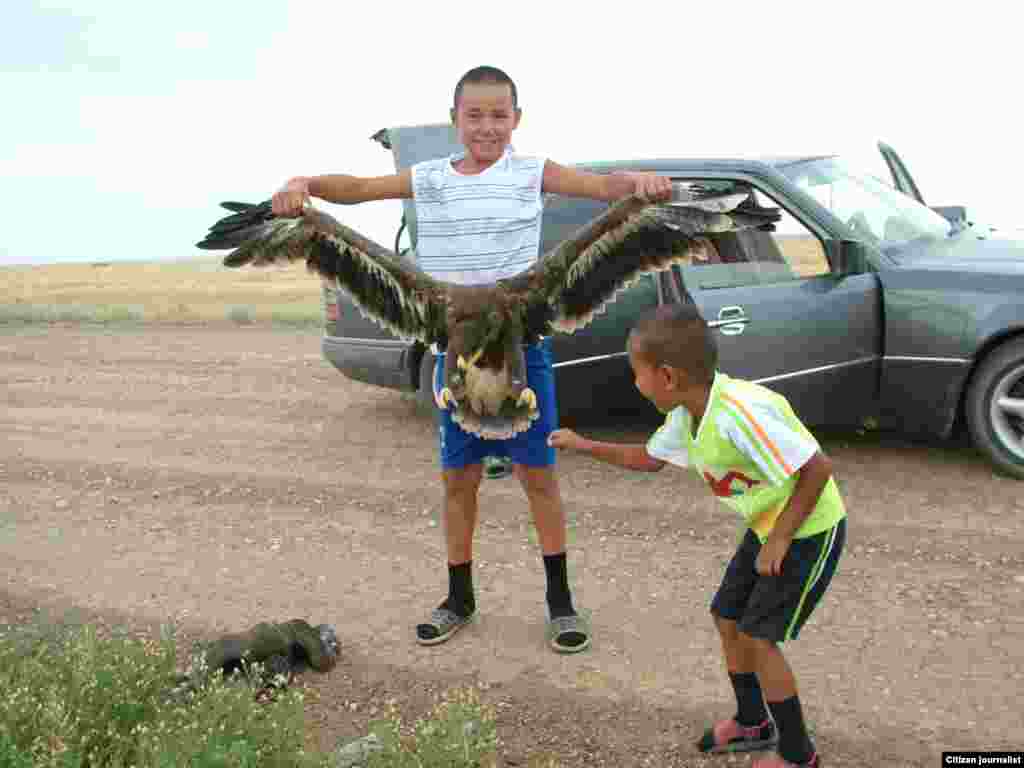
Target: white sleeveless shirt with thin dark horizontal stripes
482, 228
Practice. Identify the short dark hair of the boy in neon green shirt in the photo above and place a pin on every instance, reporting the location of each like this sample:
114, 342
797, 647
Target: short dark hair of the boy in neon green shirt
676, 335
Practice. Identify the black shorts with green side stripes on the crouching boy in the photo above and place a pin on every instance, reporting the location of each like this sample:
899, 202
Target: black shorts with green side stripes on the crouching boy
777, 608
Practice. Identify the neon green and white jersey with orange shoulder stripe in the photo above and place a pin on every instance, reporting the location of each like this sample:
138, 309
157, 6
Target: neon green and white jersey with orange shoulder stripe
749, 448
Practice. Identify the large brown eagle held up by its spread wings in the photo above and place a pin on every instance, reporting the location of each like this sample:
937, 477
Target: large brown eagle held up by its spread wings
484, 327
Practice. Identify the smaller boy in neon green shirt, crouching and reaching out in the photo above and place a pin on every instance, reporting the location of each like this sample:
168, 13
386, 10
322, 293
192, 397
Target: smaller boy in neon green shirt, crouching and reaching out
761, 461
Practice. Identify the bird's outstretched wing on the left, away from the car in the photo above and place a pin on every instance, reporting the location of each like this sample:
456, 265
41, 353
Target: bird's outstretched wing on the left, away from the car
388, 289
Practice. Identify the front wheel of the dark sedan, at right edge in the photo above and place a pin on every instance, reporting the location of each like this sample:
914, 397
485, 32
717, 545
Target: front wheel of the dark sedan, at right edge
998, 431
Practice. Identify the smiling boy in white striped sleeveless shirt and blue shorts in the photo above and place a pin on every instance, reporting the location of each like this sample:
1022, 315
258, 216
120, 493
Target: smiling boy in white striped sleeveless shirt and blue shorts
480, 222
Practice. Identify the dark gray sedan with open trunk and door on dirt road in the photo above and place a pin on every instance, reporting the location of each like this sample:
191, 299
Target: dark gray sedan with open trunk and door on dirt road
864, 308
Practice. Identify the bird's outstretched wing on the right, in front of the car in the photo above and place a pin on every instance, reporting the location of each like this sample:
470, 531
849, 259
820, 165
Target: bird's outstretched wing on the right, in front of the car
574, 282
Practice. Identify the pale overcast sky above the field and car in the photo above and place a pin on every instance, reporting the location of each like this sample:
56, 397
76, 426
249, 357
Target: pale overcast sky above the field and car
123, 124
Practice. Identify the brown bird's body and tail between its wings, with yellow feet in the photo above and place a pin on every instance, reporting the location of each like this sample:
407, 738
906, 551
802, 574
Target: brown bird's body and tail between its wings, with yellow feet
486, 370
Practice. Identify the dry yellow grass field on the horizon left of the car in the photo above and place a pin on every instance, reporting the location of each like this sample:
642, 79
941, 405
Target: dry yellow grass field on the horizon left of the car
199, 291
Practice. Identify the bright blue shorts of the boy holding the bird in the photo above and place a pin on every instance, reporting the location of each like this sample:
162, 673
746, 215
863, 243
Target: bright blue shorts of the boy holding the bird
460, 449
